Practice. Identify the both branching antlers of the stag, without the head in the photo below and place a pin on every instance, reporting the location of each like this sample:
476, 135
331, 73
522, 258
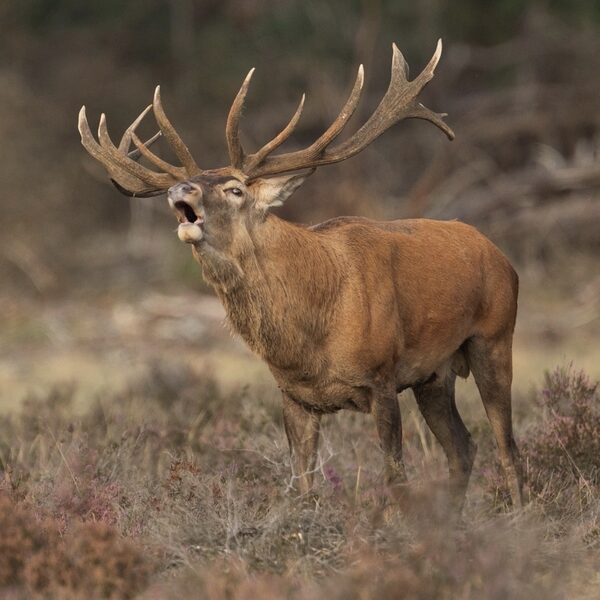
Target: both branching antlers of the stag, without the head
133, 179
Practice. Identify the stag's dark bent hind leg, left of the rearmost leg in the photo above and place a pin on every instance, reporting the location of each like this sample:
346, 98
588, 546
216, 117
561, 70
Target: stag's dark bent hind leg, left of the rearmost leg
437, 405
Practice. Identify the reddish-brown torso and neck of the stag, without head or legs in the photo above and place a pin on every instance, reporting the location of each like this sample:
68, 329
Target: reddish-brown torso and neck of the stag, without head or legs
339, 308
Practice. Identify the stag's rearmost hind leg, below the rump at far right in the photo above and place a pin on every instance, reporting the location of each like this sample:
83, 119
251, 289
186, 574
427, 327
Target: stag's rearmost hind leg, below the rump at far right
491, 365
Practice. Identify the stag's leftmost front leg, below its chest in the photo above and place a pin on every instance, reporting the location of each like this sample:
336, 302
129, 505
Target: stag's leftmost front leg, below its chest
302, 430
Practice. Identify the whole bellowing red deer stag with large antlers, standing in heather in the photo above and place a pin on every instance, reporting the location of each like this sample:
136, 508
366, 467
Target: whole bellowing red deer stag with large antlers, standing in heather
350, 312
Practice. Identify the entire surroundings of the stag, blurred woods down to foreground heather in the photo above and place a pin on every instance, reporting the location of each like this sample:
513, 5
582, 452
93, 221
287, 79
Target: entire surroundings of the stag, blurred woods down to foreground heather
142, 450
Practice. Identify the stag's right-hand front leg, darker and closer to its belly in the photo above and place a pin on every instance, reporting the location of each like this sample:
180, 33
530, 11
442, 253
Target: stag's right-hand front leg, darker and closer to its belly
386, 413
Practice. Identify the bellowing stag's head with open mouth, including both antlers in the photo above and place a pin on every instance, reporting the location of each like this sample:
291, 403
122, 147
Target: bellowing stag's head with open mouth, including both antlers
215, 207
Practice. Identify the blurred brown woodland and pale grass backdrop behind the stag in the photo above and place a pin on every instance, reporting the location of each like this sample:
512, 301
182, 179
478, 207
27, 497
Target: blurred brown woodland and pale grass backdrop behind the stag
96, 286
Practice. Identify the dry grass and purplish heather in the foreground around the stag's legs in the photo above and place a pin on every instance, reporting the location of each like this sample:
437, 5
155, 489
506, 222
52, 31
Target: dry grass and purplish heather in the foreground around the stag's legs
177, 489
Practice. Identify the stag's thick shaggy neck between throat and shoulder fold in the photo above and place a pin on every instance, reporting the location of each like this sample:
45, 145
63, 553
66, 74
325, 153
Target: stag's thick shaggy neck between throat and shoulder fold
280, 291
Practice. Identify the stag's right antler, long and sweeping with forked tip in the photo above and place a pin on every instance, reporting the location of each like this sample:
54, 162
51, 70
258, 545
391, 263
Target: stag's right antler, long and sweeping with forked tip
398, 103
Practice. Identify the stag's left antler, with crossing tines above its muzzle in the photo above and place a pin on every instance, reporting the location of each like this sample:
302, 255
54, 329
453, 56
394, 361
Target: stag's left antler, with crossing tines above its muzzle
129, 176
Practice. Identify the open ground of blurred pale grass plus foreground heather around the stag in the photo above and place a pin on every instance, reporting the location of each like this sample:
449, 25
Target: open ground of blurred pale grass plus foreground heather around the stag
143, 454
